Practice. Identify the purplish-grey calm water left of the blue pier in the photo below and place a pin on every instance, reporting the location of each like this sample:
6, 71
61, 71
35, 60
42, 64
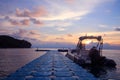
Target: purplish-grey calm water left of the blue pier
13, 59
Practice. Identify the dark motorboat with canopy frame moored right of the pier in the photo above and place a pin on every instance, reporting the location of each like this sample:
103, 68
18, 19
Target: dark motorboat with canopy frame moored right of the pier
91, 57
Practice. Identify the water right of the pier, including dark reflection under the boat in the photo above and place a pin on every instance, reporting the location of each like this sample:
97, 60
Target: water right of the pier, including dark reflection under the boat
107, 73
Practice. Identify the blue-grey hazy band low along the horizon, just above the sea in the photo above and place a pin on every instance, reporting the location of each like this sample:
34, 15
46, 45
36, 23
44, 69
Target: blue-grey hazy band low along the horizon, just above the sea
70, 45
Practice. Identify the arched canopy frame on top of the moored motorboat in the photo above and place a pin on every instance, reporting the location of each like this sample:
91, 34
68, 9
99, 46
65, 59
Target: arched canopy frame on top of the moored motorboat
81, 46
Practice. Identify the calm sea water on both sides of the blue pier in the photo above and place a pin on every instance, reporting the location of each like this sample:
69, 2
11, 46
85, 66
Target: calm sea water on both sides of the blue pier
13, 59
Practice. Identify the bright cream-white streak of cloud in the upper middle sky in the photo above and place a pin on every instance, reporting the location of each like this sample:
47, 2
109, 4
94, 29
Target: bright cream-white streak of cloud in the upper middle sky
65, 15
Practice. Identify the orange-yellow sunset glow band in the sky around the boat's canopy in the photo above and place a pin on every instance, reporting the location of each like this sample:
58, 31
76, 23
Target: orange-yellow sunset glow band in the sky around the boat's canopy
111, 37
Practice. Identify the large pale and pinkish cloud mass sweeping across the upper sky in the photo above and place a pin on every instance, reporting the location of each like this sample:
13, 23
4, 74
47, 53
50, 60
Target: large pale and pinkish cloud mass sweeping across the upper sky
53, 14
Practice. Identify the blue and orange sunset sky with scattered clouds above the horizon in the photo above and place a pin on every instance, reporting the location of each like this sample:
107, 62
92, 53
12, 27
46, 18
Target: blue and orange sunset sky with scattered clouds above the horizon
59, 23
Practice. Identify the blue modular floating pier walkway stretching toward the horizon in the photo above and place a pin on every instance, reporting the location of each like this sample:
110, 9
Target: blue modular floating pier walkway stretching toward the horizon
51, 66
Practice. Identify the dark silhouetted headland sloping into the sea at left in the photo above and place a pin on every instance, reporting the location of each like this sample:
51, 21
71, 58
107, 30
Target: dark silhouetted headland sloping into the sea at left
10, 42
